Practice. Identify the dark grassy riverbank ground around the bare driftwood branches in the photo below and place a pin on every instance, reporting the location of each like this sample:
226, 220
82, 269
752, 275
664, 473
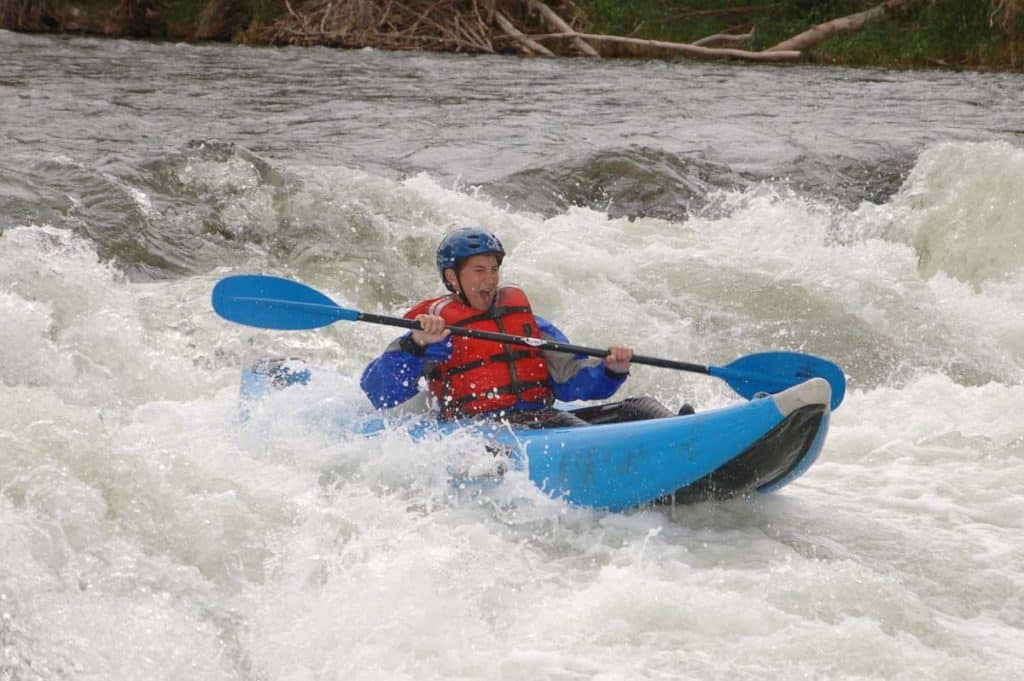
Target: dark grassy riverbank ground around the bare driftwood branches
917, 36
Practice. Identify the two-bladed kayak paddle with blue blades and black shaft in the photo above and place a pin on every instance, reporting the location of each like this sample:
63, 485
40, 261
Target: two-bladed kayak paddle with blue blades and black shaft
272, 303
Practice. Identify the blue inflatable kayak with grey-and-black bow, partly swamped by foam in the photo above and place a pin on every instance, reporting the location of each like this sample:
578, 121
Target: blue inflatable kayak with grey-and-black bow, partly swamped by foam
752, 447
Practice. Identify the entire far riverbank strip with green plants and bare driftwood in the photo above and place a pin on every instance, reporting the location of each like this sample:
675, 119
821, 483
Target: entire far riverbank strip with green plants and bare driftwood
906, 33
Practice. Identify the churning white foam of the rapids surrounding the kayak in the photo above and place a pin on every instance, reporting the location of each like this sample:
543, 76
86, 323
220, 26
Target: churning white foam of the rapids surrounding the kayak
148, 535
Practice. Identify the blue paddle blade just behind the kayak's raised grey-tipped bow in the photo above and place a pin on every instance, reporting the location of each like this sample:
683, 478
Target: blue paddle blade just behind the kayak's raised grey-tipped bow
775, 372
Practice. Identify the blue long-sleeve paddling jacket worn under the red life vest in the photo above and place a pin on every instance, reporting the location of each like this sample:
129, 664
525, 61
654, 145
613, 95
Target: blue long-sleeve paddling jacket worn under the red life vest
395, 376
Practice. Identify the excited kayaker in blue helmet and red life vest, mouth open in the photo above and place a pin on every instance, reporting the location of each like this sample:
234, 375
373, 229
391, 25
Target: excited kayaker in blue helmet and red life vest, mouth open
471, 377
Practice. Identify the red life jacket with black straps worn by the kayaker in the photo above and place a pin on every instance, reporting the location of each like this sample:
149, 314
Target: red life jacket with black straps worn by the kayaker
485, 376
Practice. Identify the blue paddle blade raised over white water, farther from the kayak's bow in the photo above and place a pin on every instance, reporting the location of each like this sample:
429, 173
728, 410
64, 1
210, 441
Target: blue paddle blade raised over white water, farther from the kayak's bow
272, 303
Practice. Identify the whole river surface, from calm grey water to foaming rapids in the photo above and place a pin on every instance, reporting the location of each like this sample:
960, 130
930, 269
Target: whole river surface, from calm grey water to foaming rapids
698, 211
